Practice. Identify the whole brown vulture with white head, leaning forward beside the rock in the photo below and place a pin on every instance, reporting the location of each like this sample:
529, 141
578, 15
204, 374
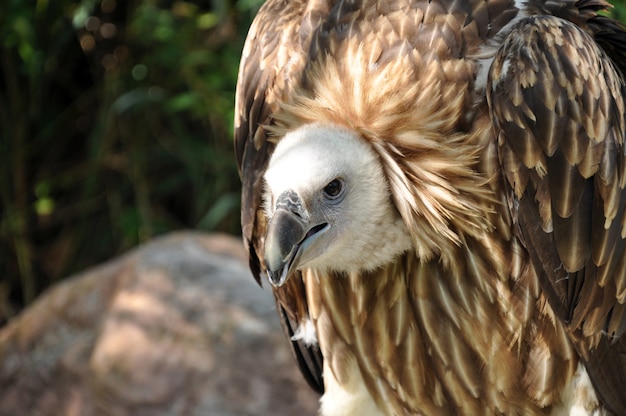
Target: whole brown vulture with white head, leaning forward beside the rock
488, 275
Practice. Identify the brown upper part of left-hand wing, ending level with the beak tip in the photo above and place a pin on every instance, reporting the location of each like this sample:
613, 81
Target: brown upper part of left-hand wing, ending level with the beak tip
260, 86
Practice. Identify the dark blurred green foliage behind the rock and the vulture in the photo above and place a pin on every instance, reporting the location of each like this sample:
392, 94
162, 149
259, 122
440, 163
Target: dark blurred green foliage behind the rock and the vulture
115, 127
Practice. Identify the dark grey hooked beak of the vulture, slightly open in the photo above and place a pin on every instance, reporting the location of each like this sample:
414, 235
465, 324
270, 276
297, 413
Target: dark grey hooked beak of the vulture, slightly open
288, 235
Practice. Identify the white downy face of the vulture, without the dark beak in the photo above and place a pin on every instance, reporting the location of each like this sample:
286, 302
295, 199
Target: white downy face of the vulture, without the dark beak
339, 181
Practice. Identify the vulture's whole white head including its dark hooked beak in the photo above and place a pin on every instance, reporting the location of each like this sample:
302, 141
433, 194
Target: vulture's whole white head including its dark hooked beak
328, 205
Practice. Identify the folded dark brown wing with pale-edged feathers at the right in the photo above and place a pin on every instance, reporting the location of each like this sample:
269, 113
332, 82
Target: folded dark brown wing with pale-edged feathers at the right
557, 100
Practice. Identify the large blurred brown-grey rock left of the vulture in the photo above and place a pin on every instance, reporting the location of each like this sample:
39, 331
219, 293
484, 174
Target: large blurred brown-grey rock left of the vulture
176, 327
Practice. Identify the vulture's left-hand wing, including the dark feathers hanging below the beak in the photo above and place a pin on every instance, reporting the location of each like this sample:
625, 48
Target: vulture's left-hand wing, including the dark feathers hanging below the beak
271, 63
